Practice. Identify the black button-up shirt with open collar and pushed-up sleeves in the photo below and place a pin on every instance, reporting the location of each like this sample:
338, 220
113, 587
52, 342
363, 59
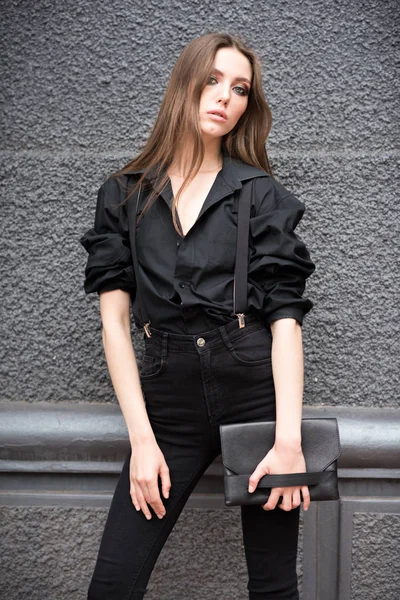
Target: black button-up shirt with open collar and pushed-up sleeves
187, 282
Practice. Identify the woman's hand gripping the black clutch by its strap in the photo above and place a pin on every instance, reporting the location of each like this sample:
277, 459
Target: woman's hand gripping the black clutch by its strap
277, 462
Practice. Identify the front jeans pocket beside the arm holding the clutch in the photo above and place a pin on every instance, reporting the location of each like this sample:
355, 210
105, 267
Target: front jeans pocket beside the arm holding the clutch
252, 348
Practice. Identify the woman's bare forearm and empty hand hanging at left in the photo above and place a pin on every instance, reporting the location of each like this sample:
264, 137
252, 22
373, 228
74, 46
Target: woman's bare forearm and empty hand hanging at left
147, 460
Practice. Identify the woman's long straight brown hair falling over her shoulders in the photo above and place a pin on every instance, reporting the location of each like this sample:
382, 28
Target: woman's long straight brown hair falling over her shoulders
178, 118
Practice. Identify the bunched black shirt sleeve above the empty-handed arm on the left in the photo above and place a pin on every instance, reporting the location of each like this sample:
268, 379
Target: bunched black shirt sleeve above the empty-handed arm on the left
109, 265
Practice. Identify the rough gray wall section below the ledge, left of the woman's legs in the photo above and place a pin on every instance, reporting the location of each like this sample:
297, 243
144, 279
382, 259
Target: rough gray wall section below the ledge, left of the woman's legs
47, 552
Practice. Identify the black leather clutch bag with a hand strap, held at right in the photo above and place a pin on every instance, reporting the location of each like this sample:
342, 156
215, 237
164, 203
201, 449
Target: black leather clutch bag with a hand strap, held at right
244, 445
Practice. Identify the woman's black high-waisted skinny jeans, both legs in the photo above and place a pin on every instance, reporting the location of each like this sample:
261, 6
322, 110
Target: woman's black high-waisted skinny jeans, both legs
192, 384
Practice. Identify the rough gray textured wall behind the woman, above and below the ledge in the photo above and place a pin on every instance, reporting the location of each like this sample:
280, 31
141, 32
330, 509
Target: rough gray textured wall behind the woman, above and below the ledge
82, 82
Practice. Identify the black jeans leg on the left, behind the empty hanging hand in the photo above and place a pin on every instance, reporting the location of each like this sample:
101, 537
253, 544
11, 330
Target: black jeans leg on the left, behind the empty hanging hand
172, 389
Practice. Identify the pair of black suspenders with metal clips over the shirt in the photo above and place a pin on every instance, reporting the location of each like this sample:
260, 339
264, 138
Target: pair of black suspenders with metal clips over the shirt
241, 261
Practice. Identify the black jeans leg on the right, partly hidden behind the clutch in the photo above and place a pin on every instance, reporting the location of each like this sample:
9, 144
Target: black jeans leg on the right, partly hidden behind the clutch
245, 379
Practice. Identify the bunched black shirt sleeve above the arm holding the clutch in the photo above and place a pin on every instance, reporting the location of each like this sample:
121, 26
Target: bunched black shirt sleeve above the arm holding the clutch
280, 262
